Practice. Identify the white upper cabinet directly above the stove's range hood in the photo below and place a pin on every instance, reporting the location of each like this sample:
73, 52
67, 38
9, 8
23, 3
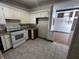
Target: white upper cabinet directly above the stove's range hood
11, 14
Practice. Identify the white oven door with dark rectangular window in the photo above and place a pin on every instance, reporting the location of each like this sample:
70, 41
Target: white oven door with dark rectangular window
17, 36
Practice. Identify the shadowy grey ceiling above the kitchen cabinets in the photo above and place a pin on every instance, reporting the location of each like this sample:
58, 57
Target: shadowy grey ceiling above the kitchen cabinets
29, 4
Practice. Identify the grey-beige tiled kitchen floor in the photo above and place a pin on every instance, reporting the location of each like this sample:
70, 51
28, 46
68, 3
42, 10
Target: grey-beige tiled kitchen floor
38, 49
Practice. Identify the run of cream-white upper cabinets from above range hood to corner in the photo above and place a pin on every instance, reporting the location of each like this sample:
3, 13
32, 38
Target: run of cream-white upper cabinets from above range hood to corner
17, 14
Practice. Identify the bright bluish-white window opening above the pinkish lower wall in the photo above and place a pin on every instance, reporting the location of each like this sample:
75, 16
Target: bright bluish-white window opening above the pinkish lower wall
63, 22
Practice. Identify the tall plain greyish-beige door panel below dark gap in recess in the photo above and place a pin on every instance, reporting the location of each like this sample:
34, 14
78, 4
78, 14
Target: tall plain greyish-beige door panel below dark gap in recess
43, 28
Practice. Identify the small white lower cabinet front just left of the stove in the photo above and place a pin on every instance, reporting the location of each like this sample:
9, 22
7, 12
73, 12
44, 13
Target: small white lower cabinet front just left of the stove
6, 41
